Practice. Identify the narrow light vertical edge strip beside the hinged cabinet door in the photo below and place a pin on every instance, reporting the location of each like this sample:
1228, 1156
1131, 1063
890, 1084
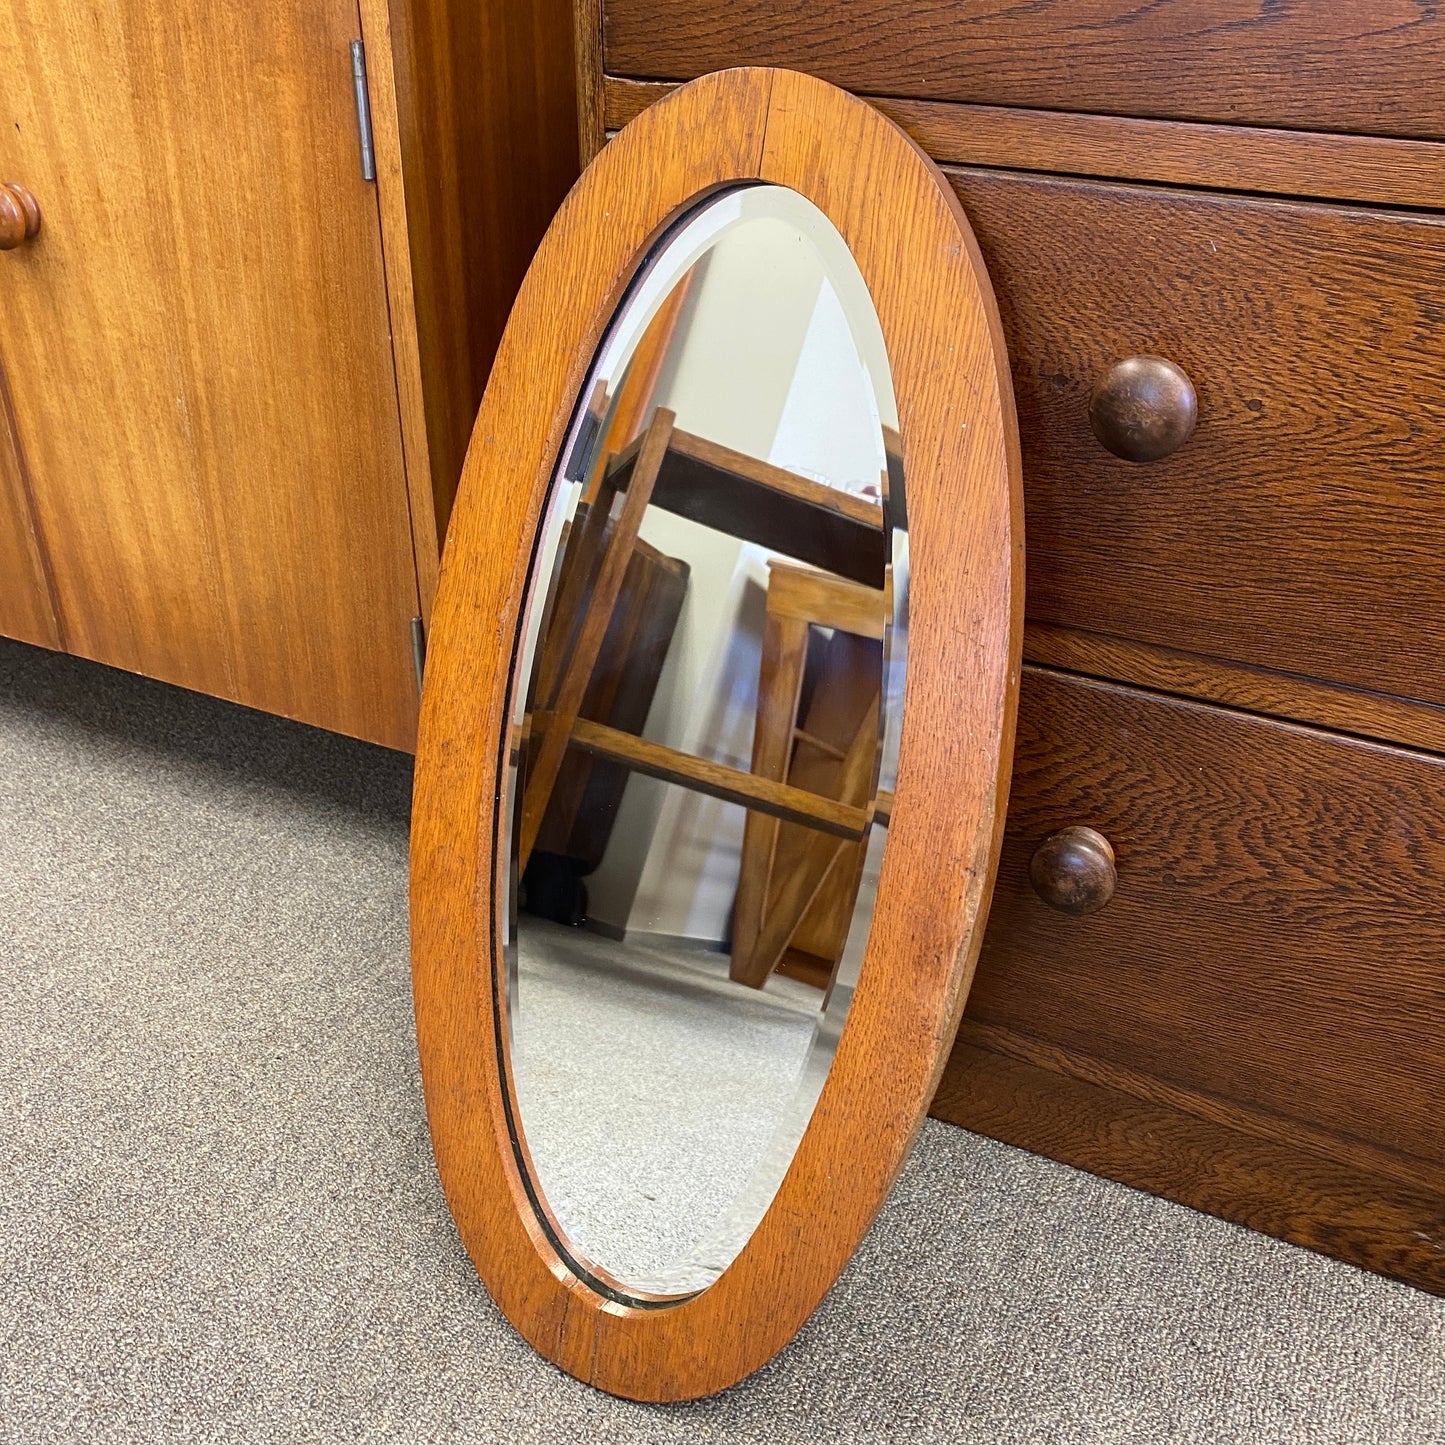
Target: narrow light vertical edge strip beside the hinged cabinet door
401, 298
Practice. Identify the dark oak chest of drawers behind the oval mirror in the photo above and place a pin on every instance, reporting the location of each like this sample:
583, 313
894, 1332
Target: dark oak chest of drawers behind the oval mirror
1238, 650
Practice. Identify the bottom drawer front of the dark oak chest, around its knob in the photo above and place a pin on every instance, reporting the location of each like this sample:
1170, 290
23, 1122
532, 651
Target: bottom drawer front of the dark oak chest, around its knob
1278, 933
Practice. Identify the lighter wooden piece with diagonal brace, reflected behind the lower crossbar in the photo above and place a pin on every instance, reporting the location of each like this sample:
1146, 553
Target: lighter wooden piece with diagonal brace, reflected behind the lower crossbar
797, 887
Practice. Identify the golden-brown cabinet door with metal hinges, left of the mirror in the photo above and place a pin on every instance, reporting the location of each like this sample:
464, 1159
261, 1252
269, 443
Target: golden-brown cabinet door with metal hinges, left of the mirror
199, 353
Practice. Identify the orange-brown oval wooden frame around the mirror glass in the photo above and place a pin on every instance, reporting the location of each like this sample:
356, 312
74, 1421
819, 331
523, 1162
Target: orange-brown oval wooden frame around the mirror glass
966, 621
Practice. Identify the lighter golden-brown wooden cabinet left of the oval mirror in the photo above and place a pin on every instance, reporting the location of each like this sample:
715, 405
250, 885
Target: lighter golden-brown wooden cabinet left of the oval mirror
230, 362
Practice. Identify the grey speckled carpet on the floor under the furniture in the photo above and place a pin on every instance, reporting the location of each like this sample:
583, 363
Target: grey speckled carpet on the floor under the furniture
220, 1220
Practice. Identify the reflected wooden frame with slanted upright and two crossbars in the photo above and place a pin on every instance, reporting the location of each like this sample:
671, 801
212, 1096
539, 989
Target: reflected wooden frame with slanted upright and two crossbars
735, 495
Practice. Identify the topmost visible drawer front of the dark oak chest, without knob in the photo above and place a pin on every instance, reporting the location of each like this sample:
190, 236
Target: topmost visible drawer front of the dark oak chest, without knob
1360, 67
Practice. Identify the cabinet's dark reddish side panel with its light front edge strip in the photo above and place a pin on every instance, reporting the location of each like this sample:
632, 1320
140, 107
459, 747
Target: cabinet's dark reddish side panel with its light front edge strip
485, 109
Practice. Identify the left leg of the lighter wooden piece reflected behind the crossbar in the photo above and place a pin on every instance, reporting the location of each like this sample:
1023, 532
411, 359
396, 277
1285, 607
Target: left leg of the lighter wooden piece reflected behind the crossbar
780, 683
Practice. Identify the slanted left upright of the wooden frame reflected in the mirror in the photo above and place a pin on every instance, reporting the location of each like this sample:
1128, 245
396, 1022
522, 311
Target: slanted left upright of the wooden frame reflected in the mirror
550, 739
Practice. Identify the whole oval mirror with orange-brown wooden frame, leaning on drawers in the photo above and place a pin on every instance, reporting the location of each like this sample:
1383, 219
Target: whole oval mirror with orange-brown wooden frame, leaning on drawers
716, 730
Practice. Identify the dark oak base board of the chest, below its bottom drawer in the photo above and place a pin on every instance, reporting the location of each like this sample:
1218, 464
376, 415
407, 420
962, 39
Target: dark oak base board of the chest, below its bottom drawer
1274, 1186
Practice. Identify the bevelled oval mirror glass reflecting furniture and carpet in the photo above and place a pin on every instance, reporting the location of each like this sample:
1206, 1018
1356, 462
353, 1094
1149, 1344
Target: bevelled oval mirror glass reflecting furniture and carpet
704, 723
